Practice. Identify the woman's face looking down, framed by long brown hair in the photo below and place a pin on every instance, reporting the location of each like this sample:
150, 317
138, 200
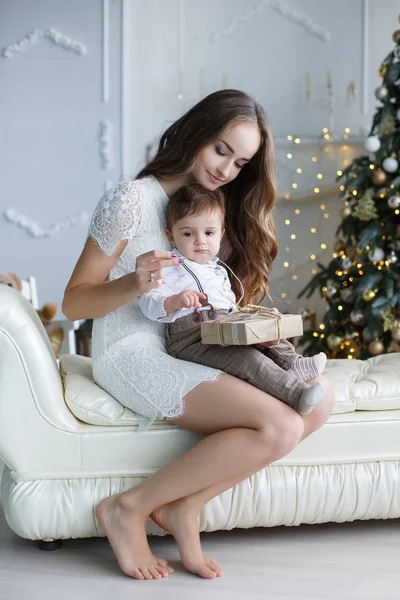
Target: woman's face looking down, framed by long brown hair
220, 162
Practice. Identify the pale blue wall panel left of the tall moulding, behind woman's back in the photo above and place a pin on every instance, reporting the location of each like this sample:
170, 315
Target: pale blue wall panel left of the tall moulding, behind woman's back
51, 106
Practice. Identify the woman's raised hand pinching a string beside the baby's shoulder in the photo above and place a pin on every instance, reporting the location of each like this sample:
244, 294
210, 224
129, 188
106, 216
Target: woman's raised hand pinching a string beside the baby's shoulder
148, 274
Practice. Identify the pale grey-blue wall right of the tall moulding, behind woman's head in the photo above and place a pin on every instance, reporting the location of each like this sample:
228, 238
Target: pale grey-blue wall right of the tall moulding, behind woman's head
268, 56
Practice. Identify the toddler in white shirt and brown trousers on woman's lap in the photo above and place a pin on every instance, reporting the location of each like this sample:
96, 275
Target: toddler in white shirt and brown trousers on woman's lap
199, 289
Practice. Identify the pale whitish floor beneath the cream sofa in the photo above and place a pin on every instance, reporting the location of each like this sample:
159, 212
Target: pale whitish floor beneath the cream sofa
324, 562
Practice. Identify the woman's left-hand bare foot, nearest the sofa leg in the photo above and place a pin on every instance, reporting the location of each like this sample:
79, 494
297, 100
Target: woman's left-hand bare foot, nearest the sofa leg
126, 533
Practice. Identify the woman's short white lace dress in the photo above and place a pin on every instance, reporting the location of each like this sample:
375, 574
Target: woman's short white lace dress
129, 357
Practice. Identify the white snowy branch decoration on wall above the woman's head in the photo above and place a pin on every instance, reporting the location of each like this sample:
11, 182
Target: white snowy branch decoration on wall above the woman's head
281, 6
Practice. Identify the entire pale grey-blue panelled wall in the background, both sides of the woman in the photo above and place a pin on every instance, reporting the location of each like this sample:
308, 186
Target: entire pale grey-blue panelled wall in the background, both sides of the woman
52, 102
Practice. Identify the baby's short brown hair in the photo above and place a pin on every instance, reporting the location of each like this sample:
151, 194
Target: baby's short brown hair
194, 199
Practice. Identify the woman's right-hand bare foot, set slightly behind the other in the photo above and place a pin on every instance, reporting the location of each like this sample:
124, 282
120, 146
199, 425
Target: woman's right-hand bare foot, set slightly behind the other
179, 520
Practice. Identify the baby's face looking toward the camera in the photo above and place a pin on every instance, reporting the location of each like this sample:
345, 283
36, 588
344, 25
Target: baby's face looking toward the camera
199, 237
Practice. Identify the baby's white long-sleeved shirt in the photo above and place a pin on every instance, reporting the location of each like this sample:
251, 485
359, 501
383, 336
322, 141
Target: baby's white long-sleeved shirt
213, 279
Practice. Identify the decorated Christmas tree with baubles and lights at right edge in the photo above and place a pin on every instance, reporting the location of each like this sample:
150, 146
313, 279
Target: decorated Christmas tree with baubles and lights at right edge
361, 285
